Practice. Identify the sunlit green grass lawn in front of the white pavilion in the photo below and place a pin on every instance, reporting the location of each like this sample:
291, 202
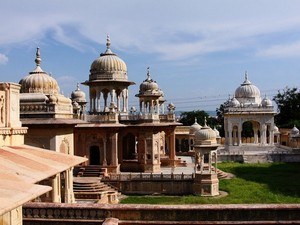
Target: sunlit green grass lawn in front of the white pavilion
254, 183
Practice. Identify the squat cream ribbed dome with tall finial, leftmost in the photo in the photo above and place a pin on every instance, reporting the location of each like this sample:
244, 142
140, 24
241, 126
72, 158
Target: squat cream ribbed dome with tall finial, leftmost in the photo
39, 81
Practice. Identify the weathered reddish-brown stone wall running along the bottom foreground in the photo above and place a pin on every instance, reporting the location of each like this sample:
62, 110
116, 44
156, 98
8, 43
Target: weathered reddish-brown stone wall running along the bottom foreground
69, 214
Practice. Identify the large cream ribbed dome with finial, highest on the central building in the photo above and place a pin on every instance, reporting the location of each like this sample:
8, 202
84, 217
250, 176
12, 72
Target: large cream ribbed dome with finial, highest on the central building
108, 66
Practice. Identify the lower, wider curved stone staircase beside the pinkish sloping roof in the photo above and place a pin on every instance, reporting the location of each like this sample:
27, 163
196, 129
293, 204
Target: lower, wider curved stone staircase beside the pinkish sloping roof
91, 189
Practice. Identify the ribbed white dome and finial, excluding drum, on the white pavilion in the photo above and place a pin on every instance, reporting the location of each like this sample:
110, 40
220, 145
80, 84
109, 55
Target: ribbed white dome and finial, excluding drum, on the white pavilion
247, 90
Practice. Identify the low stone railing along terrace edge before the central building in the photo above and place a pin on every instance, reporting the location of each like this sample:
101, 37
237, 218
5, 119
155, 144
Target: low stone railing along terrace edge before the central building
148, 177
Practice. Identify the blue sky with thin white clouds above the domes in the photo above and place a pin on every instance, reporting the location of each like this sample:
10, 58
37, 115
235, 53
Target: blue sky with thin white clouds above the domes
198, 51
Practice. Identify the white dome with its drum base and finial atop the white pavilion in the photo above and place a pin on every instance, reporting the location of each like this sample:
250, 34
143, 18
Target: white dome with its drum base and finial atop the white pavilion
247, 93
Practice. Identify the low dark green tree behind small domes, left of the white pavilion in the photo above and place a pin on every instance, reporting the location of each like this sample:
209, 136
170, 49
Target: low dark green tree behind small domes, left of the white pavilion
188, 118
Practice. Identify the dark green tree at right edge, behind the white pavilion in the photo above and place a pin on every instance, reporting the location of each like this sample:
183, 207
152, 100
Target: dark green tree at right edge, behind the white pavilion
288, 102
